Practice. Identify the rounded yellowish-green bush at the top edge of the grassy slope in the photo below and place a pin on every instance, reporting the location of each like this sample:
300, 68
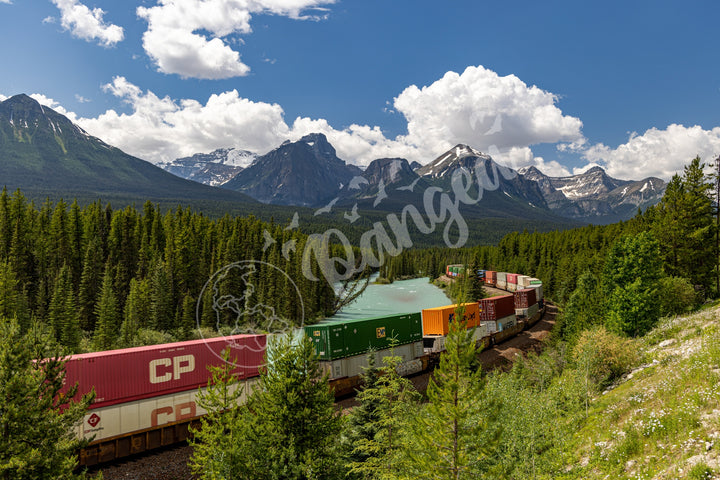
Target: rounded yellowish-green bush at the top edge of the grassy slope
603, 356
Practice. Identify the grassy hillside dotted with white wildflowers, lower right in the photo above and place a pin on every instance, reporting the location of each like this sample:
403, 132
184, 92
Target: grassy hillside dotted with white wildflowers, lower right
662, 420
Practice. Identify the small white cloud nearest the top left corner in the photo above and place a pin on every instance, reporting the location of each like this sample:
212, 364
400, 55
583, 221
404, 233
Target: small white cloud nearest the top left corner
88, 24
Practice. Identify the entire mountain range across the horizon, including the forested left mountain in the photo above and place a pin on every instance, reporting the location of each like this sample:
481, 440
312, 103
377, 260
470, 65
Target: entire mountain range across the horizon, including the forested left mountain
46, 155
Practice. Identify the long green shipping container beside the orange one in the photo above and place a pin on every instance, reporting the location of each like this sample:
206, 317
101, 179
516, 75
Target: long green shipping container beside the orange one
354, 337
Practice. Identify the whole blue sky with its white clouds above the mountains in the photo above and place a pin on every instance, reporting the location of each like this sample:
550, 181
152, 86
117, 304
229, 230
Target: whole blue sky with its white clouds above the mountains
632, 86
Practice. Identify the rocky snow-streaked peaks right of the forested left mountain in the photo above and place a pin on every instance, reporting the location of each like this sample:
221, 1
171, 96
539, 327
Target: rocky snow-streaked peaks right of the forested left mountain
309, 173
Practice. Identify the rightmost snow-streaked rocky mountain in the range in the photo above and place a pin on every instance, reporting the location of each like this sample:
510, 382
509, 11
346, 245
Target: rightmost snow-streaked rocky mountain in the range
594, 195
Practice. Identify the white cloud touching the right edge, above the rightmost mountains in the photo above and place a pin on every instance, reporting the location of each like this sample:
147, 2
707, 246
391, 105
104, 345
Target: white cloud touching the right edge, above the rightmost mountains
657, 153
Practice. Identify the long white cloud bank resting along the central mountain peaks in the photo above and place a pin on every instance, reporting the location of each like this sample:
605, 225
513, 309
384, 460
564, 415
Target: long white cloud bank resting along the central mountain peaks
499, 115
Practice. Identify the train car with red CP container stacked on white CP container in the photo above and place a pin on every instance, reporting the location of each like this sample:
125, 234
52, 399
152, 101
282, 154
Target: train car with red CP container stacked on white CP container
146, 397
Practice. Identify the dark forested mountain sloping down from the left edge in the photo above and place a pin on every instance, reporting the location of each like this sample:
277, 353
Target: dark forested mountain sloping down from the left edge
46, 155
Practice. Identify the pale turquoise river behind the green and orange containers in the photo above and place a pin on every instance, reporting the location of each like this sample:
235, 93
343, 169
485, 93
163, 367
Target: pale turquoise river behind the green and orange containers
402, 296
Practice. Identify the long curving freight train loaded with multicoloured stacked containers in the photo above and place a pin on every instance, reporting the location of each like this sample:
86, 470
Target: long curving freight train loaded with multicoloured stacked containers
154, 401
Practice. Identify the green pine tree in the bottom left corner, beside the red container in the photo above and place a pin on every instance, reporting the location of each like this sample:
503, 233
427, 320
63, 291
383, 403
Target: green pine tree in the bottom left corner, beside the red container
37, 438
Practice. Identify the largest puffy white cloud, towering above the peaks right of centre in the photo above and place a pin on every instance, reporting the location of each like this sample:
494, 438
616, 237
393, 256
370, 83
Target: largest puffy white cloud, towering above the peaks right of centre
480, 108
